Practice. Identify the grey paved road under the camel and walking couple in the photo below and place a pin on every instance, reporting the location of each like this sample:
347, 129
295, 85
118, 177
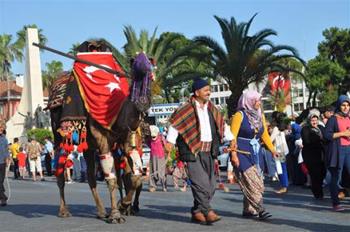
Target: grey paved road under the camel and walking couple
33, 207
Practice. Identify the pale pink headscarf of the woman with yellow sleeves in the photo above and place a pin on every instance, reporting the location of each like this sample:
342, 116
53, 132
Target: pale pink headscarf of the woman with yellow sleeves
246, 103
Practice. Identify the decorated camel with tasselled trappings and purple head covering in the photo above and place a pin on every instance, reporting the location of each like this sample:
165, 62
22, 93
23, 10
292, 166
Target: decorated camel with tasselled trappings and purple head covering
98, 137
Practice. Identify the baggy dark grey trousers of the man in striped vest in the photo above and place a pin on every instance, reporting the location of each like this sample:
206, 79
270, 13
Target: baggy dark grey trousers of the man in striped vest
203, 181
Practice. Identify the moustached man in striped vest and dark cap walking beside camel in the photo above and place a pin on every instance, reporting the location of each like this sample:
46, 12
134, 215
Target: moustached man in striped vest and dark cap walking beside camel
197, 127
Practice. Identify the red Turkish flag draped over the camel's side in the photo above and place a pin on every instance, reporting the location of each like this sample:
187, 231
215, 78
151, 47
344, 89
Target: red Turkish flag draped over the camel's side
103, 93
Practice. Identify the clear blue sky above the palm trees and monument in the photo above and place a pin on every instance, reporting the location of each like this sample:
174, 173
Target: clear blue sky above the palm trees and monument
299, 23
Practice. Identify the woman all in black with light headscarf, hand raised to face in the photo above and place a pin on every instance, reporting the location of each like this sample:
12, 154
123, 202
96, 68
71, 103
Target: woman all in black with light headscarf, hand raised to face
313, 152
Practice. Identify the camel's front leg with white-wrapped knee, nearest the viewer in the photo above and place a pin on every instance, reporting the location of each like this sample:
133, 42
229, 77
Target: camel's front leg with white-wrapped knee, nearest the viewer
107, 162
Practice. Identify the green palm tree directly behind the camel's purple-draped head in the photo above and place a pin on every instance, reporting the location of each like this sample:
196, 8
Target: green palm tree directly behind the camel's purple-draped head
173, 65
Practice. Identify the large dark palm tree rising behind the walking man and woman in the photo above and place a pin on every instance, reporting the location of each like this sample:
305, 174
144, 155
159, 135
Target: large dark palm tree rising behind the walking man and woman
244, 59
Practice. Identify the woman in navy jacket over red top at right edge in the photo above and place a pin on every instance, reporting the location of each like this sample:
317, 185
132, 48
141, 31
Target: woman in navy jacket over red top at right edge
337, 132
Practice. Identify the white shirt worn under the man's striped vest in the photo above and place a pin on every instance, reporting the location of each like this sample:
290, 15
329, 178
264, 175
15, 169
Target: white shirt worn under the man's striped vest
204, 124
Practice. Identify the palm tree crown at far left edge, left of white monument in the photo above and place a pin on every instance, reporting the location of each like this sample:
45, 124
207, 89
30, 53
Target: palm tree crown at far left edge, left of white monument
9, 52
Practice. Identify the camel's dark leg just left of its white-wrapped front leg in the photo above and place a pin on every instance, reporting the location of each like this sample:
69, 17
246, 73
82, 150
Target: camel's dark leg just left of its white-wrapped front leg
90, 162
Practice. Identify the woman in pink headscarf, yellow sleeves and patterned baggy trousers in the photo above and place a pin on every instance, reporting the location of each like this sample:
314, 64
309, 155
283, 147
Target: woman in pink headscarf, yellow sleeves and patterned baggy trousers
248, 127
